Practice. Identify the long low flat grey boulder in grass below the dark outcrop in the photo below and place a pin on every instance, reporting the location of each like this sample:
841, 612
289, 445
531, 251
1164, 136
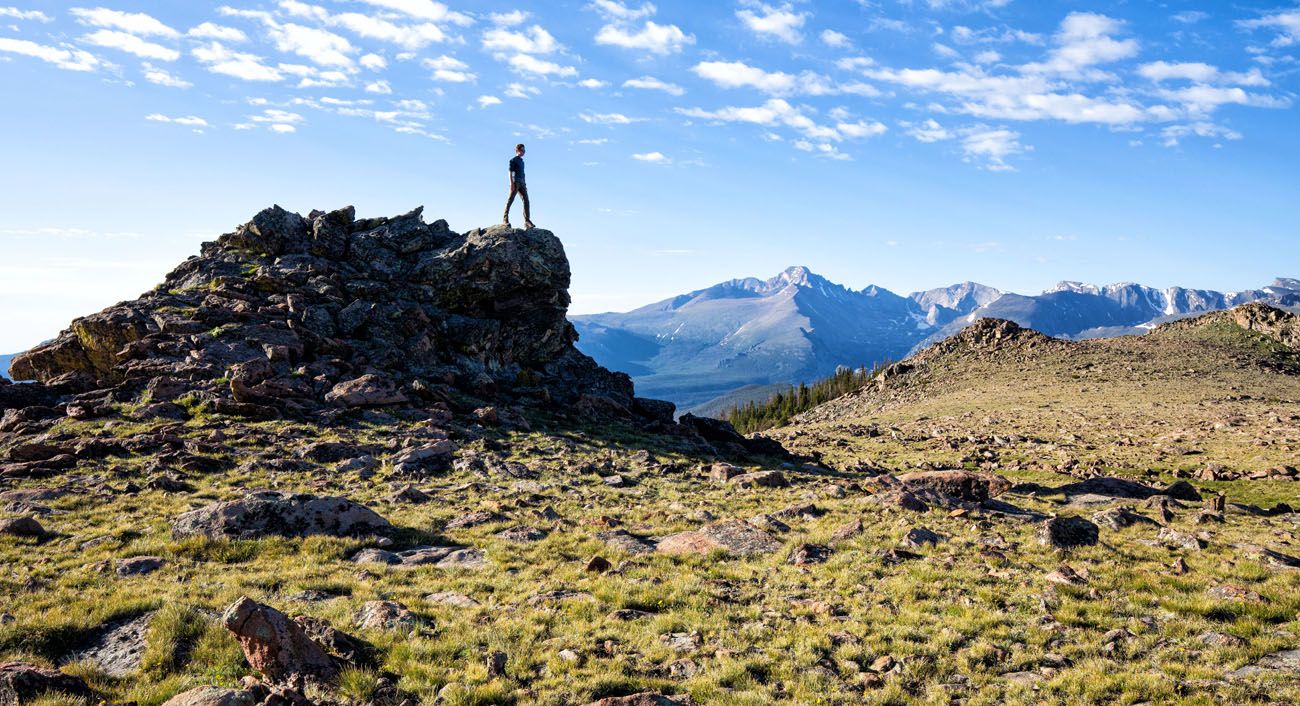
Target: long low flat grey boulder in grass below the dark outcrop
272, 513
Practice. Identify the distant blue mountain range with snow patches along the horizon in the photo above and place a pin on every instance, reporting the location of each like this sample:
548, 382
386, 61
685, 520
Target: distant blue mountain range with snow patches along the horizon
742, 339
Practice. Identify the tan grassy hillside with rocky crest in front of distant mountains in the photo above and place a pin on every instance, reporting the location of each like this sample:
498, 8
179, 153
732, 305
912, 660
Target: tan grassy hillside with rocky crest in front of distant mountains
1220, 392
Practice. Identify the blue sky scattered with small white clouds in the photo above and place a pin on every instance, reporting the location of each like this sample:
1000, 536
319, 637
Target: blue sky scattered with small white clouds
671, 145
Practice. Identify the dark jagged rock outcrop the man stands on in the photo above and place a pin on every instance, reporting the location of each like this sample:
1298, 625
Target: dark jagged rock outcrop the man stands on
292, 317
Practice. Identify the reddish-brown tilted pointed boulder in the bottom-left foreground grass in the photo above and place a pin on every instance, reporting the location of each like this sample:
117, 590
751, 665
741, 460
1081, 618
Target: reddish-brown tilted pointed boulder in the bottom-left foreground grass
276, 647
